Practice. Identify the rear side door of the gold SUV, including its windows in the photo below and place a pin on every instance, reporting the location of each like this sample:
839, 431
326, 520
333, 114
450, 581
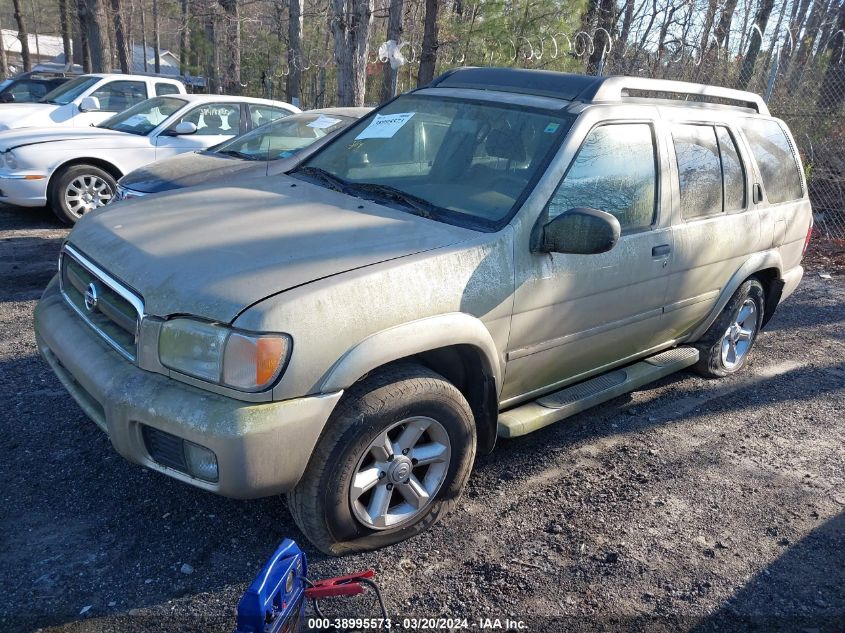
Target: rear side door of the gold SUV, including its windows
717, 225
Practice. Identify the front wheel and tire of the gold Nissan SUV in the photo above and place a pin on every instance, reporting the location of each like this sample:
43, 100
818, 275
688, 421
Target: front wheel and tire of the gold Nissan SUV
335, 517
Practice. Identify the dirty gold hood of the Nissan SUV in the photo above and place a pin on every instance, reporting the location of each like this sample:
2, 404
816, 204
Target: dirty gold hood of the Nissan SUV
214, 251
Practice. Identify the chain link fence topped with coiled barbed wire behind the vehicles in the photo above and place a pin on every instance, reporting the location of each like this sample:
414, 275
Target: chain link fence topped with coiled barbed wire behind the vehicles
803, 82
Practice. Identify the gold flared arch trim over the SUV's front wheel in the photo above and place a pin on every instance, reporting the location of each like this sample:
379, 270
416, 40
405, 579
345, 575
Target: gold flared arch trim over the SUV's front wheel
415, 337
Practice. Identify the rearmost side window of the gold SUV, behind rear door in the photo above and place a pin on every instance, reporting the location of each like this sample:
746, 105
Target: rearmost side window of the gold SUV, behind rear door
775, 158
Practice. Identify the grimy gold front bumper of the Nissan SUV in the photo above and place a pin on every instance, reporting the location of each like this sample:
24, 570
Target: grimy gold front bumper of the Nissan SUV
262, 449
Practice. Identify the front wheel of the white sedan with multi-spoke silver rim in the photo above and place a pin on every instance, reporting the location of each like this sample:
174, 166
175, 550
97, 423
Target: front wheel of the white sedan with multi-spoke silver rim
79, 189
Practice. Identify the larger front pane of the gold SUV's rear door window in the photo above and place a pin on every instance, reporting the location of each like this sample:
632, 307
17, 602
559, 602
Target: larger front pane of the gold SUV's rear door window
699, 170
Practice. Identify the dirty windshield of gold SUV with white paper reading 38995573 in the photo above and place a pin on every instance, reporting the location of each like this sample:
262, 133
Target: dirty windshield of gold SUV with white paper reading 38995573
459, 161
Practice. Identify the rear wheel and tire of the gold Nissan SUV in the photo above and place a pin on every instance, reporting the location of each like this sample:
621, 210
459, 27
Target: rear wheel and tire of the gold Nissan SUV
725, 347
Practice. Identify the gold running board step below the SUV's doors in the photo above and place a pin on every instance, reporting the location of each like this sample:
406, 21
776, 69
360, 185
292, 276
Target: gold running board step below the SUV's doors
567, 402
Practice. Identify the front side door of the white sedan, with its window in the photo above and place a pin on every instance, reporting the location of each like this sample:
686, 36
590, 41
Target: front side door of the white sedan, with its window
216, 122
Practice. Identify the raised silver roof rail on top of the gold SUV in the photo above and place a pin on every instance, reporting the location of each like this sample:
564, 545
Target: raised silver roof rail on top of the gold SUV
618, 88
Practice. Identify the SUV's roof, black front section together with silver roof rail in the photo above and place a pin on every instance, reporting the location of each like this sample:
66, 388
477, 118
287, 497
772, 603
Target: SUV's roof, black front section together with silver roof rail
592, 89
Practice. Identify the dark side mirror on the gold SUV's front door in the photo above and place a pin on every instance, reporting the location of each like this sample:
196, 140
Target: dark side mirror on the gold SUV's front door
581, 231
